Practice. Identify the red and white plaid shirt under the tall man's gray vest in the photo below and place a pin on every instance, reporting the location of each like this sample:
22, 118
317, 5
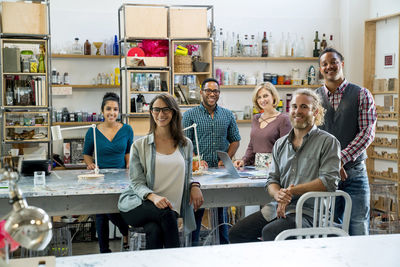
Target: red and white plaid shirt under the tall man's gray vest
366, 121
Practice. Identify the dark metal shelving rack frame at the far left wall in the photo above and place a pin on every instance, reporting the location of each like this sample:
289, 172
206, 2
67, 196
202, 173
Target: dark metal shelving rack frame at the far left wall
47, 107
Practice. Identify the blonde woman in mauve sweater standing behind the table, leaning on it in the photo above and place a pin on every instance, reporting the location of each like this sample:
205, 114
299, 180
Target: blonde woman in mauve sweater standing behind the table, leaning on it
266, 128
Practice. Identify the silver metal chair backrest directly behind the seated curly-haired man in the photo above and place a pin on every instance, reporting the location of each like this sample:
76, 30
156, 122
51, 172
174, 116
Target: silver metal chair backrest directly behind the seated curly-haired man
324, 209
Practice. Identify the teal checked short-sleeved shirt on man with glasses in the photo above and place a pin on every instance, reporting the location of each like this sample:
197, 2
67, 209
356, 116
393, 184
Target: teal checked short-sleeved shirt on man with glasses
214, 134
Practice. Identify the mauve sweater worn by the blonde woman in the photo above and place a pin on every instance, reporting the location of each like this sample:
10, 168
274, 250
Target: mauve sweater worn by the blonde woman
262, 140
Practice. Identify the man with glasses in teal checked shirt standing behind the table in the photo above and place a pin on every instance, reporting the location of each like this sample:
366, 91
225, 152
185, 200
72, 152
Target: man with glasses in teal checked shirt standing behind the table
216, 130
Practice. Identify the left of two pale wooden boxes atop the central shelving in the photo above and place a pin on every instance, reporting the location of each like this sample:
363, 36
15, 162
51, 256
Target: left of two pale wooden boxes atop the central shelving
146, 22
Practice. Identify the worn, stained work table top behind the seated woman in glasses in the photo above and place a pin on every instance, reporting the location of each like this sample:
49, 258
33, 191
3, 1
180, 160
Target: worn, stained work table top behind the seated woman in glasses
66, 182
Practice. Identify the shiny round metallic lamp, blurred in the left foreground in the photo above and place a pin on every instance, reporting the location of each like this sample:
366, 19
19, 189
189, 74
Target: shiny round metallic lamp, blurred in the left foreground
29, 226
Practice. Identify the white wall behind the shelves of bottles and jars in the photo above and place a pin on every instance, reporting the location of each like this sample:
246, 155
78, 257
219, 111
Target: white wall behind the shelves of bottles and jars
97, 21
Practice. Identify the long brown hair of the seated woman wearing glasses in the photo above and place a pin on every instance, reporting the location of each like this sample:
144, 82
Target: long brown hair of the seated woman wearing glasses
176, 121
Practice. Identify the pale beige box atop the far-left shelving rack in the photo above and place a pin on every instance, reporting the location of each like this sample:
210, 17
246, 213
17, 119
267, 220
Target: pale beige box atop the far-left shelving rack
24, 18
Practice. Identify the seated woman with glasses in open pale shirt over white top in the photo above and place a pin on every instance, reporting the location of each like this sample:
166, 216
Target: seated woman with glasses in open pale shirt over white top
161, 186
